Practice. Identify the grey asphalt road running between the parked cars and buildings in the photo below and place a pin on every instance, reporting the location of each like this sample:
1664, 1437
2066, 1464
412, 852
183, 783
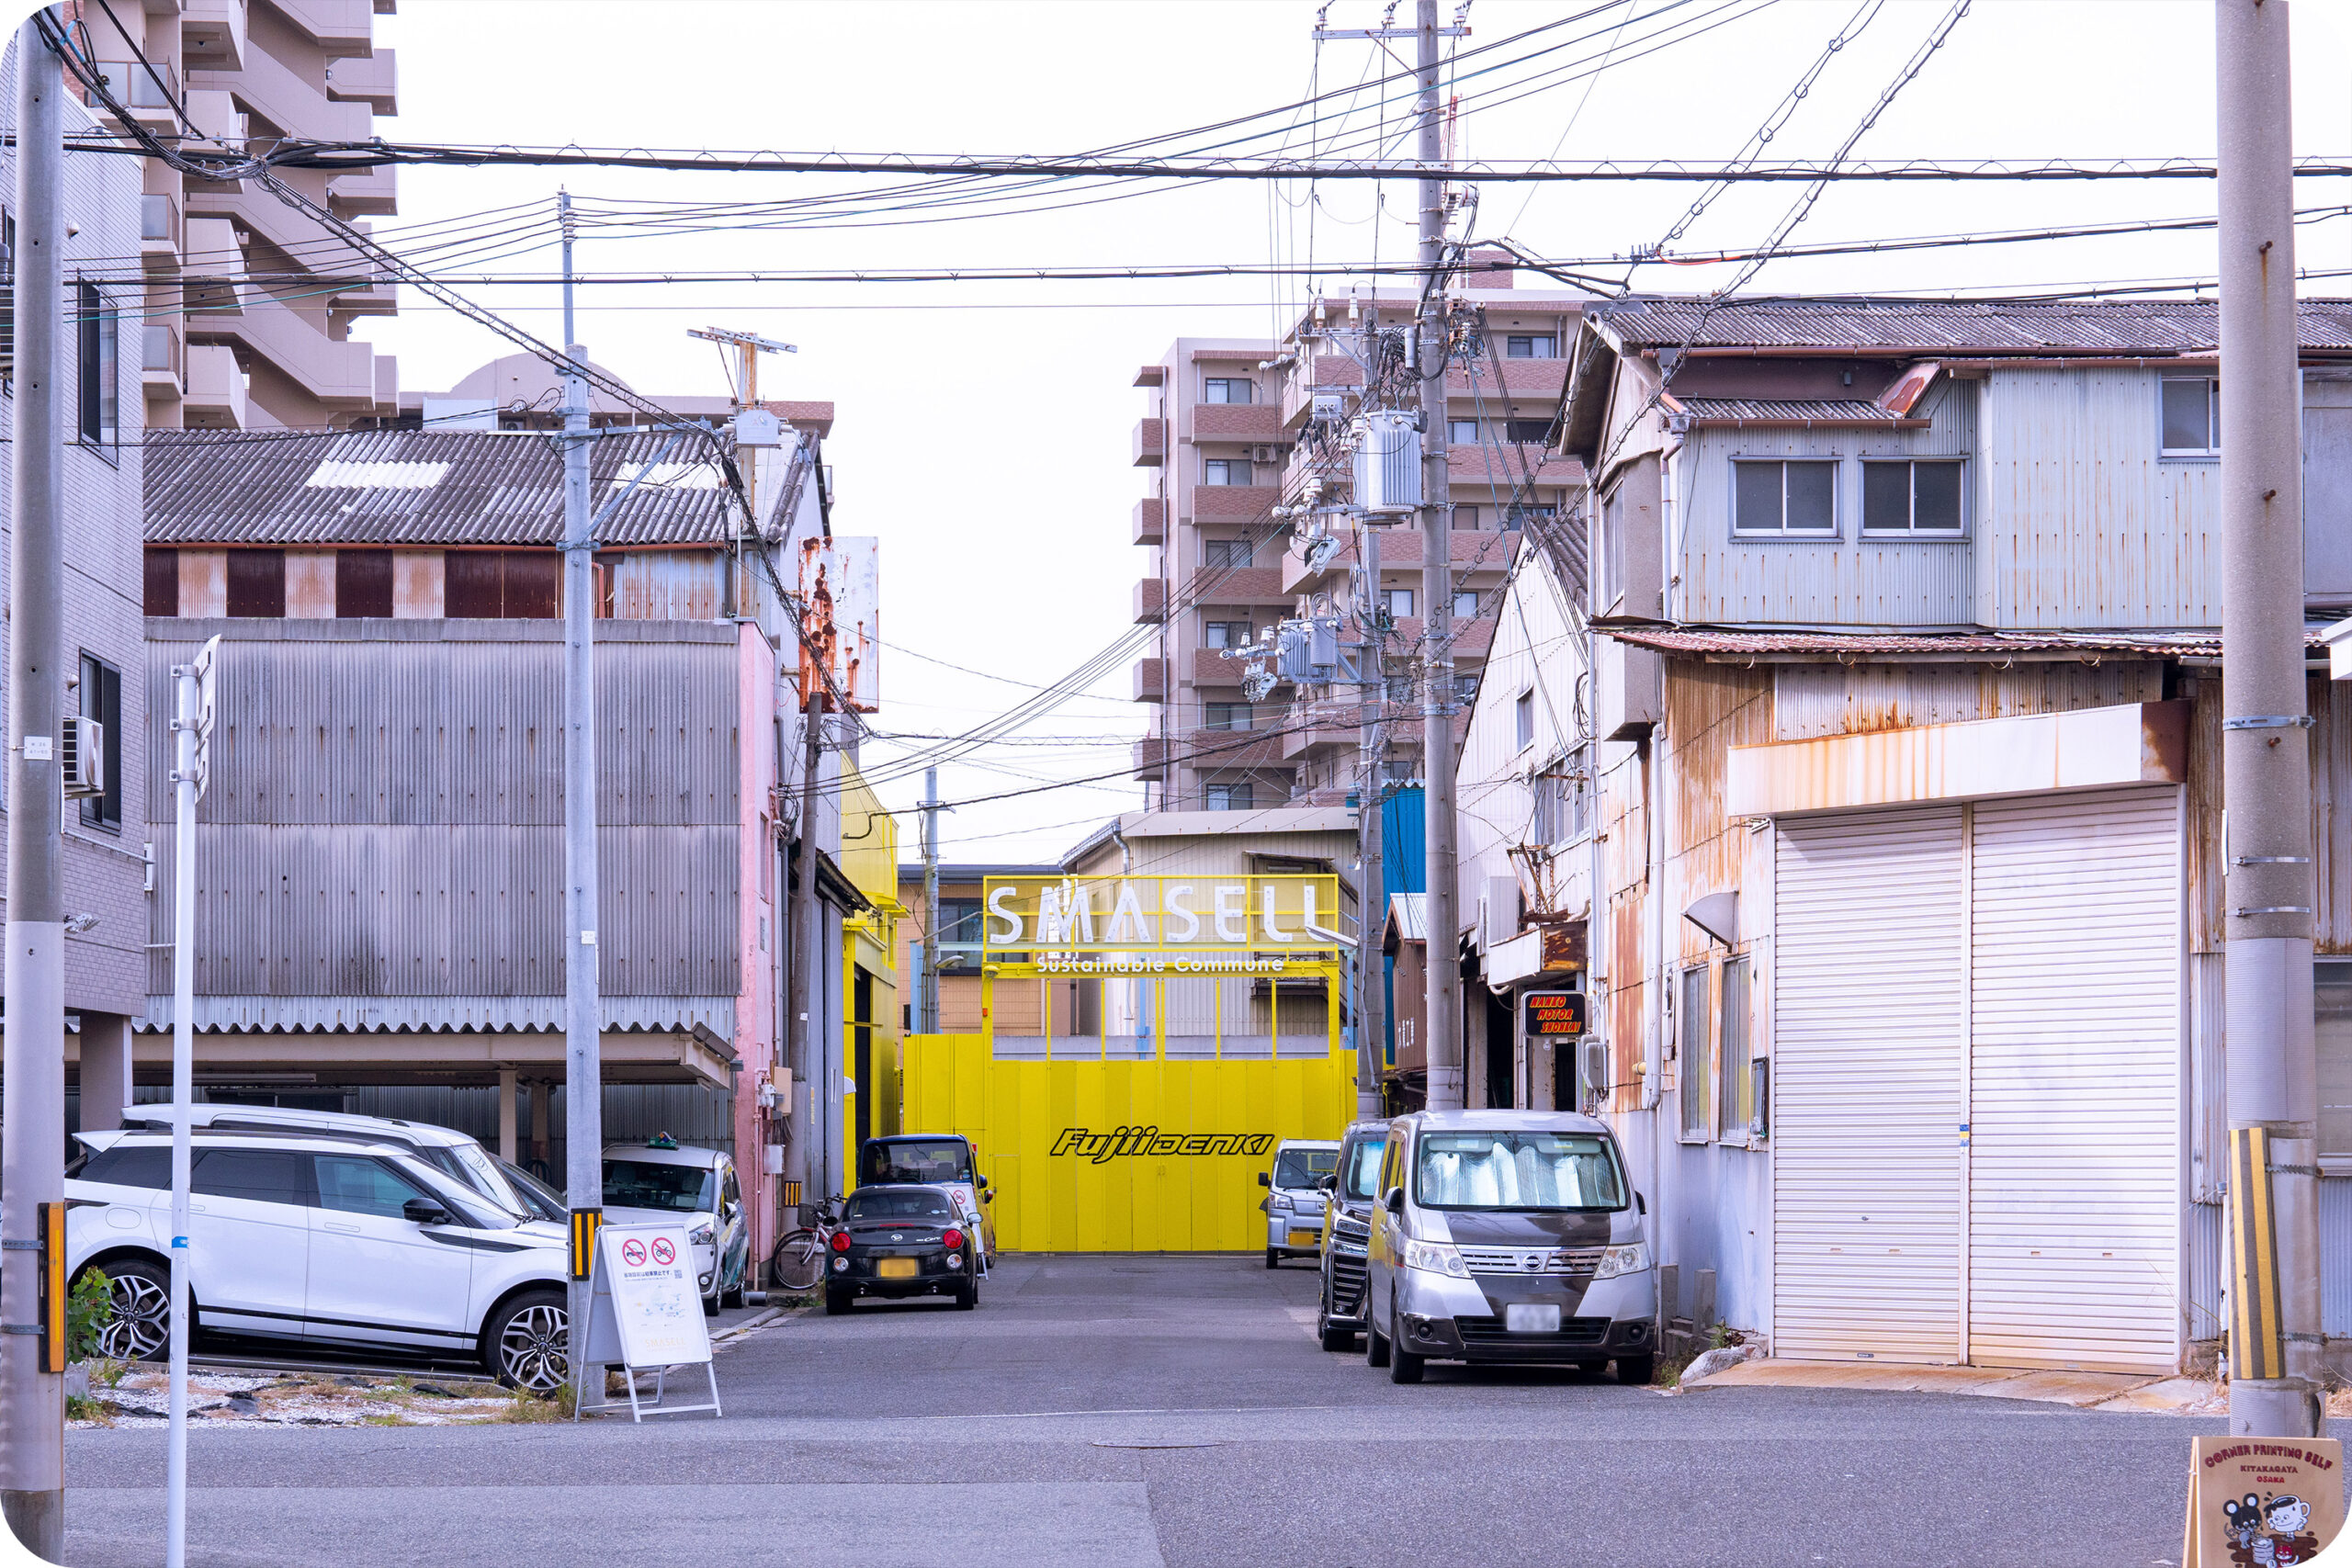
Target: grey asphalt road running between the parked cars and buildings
1137, 1412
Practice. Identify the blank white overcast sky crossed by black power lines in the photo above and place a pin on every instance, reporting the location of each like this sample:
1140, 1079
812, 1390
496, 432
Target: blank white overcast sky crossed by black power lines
984, 429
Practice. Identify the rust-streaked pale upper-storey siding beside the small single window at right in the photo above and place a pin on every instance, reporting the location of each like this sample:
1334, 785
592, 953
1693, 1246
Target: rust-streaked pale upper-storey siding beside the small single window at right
2085, 525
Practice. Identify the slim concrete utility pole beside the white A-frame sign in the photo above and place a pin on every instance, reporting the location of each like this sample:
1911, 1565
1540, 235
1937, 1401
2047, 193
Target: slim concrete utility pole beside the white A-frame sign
584, 1007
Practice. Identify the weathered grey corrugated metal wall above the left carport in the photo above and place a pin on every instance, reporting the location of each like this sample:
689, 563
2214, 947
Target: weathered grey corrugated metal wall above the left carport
385, 815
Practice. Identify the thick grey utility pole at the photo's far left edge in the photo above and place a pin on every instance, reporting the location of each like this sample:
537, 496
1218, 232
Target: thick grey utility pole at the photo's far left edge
34, 1054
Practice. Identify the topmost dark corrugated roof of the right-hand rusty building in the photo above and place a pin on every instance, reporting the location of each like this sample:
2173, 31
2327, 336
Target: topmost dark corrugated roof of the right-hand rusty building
1951, 328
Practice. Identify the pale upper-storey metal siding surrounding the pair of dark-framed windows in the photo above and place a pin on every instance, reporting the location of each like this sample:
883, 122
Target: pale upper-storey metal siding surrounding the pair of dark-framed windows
1852, 579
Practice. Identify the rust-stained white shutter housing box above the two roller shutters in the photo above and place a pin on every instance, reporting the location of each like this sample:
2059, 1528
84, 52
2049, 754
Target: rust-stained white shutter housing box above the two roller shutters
1857, 699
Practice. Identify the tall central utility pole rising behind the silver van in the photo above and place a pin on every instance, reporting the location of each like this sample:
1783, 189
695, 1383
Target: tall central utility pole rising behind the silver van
1445, 1033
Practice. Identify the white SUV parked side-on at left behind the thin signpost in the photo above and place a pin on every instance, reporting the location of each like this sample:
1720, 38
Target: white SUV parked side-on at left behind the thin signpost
321, 1240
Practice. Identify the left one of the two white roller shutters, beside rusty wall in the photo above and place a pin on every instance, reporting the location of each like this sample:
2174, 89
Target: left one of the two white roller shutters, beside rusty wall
1866, 1087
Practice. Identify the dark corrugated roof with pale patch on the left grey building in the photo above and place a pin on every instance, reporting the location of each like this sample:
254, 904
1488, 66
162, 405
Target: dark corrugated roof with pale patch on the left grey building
420, 488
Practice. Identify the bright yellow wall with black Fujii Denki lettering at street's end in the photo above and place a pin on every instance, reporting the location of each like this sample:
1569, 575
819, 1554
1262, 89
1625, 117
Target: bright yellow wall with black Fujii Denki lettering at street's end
1017, 1111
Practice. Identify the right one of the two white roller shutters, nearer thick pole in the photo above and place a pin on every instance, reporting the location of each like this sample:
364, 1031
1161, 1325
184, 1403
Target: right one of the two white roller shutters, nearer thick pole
2073, 1083
